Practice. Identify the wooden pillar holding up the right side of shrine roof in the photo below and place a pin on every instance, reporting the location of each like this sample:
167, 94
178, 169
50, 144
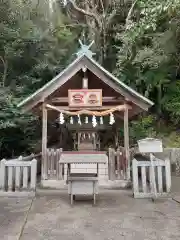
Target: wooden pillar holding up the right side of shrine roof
126, 142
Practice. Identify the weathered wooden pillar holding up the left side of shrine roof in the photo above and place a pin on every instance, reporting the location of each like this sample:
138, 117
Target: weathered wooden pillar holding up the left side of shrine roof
44, 143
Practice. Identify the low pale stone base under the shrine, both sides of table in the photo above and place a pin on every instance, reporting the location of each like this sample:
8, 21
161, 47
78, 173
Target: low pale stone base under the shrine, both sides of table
107, 184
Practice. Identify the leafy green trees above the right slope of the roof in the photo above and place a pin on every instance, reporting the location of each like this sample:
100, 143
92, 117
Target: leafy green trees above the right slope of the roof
148, 58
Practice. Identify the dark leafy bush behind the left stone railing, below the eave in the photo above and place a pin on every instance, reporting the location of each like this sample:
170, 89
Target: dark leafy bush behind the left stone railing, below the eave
18, 131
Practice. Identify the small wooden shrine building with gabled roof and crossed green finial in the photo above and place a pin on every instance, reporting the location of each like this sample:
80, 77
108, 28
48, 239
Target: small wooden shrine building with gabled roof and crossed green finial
91, 105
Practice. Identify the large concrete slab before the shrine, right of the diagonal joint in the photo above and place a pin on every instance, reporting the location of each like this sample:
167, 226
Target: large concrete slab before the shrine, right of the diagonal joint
117, 216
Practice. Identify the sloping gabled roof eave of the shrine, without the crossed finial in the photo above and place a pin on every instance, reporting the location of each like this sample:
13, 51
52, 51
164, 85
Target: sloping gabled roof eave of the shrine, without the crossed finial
43, 93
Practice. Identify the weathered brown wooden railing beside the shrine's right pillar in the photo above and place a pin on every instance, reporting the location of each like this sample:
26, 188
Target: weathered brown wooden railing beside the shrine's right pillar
117, 164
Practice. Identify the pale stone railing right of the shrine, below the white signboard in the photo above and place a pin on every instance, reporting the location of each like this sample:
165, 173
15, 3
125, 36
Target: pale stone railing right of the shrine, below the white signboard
146, 185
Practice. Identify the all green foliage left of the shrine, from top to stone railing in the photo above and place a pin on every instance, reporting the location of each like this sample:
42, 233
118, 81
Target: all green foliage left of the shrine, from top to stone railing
34, 47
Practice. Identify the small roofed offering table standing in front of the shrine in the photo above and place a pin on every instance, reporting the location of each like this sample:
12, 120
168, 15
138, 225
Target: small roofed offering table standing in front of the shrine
83, 183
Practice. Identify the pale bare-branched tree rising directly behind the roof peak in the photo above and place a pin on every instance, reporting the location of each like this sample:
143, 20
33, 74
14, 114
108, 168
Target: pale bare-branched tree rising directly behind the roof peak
99, 18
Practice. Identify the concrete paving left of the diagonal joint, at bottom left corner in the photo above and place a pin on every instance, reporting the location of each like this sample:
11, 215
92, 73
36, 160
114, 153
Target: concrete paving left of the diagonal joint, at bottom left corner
13, 212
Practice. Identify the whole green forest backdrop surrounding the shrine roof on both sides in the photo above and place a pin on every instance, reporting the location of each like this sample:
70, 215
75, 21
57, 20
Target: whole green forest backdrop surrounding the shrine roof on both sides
37, 42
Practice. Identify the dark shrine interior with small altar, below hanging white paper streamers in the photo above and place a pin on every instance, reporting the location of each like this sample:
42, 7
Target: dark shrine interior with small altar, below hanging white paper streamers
85, 136
